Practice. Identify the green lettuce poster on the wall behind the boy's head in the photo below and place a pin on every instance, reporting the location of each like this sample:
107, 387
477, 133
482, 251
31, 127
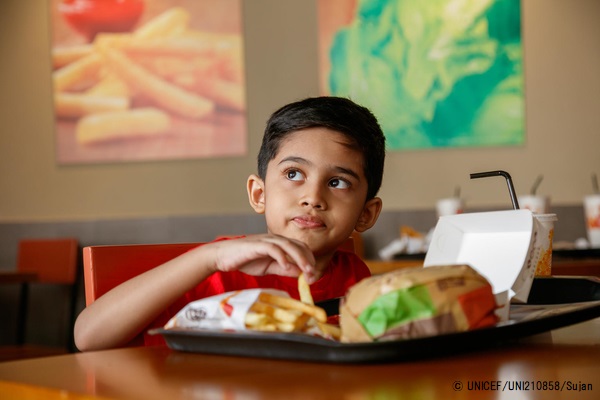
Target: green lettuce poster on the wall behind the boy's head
437, 73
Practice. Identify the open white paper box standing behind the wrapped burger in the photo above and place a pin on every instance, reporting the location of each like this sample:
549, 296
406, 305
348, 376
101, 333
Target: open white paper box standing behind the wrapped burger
500, 245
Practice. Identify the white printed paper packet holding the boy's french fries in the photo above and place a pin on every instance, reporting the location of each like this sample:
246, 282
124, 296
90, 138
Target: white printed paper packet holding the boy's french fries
225, 311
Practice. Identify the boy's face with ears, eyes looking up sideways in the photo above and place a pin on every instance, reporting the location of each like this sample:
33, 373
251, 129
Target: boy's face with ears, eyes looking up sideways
315, 190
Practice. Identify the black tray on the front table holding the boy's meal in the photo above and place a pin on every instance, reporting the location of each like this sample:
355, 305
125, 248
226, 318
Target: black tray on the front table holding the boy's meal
526, 320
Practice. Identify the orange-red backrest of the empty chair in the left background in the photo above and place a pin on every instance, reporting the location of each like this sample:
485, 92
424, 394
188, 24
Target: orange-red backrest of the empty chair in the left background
52, 260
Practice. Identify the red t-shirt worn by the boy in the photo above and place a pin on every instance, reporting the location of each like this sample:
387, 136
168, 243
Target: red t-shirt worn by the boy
345, 270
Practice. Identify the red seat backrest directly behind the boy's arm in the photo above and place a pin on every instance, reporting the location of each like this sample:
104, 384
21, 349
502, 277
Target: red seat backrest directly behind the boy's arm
105, 267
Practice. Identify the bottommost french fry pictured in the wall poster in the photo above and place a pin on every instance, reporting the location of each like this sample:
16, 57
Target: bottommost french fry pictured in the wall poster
122, 124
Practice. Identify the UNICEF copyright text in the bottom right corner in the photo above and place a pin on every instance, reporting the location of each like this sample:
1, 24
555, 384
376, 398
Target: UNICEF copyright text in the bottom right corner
511, 385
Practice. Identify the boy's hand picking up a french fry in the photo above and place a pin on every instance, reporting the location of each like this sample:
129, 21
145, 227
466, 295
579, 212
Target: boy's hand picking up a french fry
266, 254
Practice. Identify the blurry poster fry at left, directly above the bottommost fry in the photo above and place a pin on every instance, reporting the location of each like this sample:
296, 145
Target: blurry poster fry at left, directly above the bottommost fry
74, 105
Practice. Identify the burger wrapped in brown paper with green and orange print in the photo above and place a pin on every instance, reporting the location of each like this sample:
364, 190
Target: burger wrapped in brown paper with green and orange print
415, 302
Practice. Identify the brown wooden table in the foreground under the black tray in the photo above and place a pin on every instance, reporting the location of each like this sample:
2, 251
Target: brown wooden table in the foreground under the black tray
569, 357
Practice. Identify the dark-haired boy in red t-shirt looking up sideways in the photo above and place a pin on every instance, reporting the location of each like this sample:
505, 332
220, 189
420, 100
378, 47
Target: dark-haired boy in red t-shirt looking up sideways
320, 167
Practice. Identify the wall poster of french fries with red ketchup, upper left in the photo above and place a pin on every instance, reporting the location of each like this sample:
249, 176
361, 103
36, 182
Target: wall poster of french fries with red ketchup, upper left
138, 80
